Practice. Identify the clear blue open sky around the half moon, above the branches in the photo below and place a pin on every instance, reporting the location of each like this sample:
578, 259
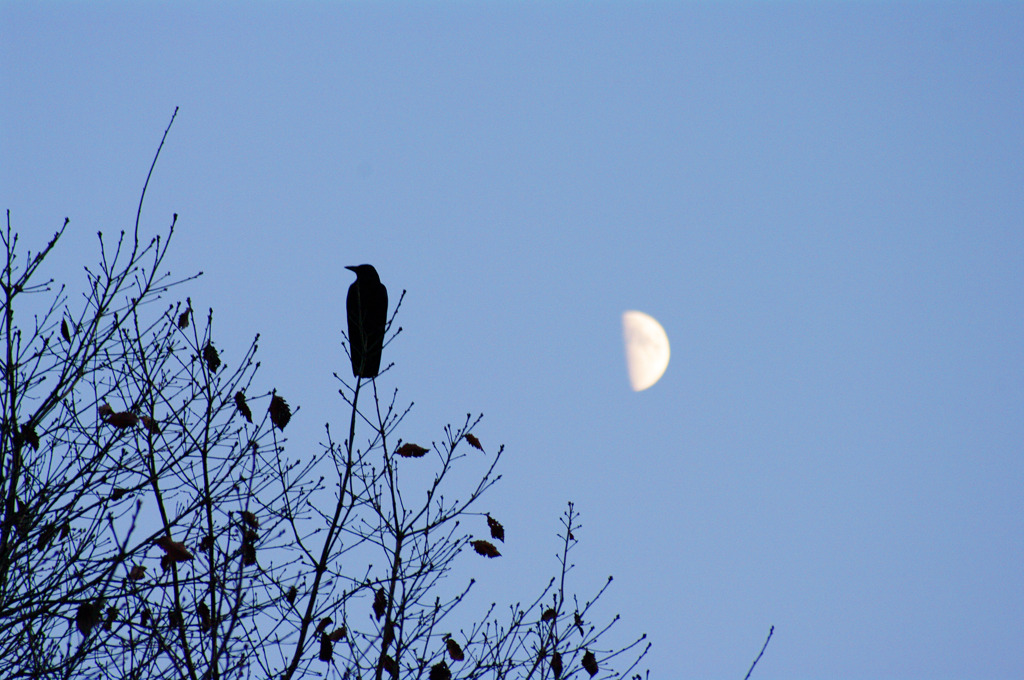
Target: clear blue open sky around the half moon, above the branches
822, 204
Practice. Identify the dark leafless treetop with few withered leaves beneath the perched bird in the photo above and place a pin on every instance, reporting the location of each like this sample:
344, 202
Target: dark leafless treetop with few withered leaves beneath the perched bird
153, 527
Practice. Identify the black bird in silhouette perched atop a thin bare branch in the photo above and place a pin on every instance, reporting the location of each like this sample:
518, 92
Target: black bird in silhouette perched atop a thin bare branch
367, 317
